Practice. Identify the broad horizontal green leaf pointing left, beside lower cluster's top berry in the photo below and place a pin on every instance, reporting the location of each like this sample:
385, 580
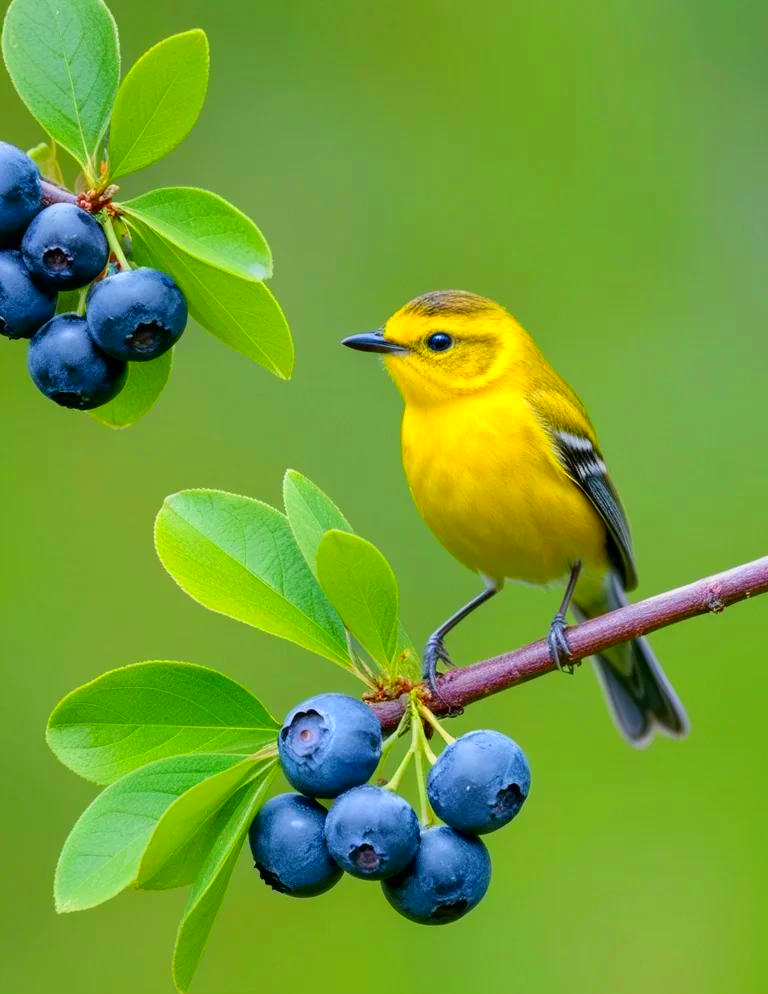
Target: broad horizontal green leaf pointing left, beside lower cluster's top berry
141, 713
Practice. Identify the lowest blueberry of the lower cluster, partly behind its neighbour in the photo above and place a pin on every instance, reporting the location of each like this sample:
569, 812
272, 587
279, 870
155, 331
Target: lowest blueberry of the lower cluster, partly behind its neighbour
448, 878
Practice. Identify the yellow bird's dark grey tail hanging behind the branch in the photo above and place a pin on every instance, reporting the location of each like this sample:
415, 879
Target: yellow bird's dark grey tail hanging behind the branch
639, 695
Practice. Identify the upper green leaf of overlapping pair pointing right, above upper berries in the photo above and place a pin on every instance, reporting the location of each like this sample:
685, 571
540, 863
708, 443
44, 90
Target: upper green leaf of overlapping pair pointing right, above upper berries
206, 227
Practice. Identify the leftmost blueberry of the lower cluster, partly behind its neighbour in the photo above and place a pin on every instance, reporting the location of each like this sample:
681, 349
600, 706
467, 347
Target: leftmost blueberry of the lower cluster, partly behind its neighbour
288, 846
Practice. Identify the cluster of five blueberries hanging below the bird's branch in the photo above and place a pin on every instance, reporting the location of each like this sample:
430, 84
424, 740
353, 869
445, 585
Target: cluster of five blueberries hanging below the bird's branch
329, 747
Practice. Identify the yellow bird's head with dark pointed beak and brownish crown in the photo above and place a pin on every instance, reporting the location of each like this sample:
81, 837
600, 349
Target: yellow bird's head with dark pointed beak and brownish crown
444, 344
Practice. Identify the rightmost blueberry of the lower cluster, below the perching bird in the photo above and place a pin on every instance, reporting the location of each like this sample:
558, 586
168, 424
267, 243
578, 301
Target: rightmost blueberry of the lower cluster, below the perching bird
479, 782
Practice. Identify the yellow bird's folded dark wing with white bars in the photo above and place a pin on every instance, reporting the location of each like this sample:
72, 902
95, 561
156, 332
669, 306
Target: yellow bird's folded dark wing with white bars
575, 446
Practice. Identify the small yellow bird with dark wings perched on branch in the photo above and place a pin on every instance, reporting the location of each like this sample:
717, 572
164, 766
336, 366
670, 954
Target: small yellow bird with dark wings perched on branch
504, 466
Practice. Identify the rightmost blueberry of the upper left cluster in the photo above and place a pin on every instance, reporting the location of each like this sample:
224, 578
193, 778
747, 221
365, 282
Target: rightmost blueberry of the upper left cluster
136, 314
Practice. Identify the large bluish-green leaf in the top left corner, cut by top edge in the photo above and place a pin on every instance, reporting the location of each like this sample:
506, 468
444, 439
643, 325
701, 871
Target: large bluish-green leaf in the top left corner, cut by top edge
63, 58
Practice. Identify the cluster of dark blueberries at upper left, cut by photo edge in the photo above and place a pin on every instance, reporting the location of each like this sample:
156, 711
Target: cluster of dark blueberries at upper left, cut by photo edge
130, 315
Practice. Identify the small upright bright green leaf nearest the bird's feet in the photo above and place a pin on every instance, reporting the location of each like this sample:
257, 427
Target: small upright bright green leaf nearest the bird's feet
360, 584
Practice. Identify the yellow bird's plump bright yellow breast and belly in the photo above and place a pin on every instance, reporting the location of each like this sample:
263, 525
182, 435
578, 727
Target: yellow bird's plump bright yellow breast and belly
487, 482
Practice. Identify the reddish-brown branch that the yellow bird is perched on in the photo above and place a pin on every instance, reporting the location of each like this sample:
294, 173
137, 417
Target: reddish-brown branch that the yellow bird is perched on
708, 596
